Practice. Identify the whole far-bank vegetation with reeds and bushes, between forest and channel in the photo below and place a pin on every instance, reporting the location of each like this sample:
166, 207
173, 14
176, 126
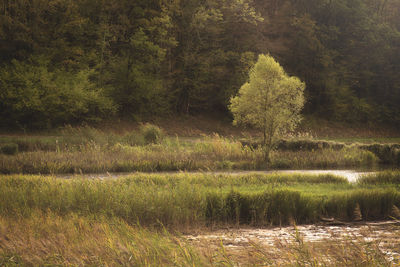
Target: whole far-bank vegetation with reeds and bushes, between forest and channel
87, 150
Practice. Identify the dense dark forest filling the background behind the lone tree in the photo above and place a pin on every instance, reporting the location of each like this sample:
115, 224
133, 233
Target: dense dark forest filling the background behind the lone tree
64, 61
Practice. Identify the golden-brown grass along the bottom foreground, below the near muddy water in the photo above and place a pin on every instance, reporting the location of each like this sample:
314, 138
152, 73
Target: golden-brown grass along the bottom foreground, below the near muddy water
47, 239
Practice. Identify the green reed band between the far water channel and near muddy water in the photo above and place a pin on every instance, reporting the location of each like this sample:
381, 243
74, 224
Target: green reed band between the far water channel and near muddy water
186, 201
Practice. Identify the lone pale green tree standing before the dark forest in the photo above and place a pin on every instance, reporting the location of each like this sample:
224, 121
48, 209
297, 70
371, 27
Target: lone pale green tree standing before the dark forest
271, 101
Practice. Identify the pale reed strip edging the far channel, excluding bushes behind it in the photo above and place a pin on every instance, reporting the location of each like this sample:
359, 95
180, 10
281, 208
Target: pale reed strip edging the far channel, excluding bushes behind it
211, 153
